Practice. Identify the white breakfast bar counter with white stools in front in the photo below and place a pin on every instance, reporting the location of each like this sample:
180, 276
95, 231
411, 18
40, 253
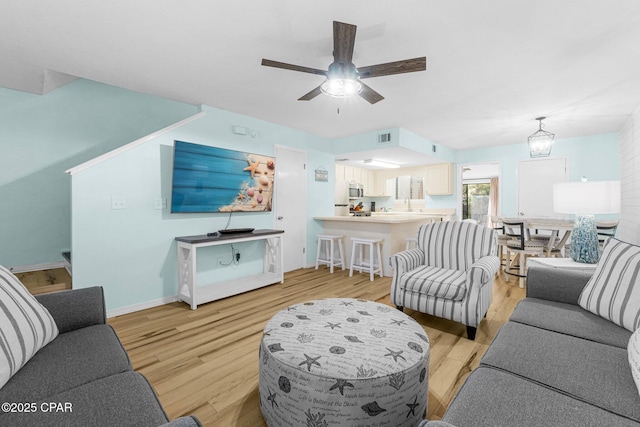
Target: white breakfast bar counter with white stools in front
393, 229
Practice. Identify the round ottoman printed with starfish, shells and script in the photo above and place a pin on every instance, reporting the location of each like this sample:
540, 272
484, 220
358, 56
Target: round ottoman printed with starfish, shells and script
343, 362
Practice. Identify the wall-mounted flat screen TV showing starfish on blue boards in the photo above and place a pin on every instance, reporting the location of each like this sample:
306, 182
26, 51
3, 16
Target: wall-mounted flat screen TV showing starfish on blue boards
212, 179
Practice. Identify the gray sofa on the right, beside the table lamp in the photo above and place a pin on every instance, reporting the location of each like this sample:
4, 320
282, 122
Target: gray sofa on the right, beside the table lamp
552, 364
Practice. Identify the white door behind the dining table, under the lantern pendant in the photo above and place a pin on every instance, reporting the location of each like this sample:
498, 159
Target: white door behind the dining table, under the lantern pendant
535, 186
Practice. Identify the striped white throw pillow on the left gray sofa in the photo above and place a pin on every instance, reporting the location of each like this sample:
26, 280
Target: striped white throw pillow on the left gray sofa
25, 325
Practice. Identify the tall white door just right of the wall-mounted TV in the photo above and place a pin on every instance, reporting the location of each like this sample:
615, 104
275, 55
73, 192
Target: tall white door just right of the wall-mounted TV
291, 205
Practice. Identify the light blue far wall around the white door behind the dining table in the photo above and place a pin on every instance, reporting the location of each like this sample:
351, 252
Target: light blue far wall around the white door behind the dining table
594, 156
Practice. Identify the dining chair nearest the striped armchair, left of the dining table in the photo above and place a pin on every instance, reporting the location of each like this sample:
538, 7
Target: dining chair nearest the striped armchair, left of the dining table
521, 245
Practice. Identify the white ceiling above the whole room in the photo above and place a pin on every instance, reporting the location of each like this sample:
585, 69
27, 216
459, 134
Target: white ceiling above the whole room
492, 66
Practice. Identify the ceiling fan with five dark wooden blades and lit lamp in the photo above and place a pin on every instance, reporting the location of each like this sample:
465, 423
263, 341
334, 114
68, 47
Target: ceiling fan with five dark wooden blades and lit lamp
343, 78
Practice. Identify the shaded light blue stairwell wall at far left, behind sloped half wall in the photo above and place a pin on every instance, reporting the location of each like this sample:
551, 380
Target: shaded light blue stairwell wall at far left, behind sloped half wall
41, 137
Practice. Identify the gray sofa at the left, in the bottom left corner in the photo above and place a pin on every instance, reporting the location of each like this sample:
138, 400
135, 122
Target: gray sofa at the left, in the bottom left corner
84, 376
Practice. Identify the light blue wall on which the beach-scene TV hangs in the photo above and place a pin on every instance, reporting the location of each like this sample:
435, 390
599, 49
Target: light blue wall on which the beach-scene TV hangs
132, 252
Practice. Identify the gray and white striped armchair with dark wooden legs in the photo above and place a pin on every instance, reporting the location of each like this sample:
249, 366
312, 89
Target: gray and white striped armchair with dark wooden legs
449, 274
